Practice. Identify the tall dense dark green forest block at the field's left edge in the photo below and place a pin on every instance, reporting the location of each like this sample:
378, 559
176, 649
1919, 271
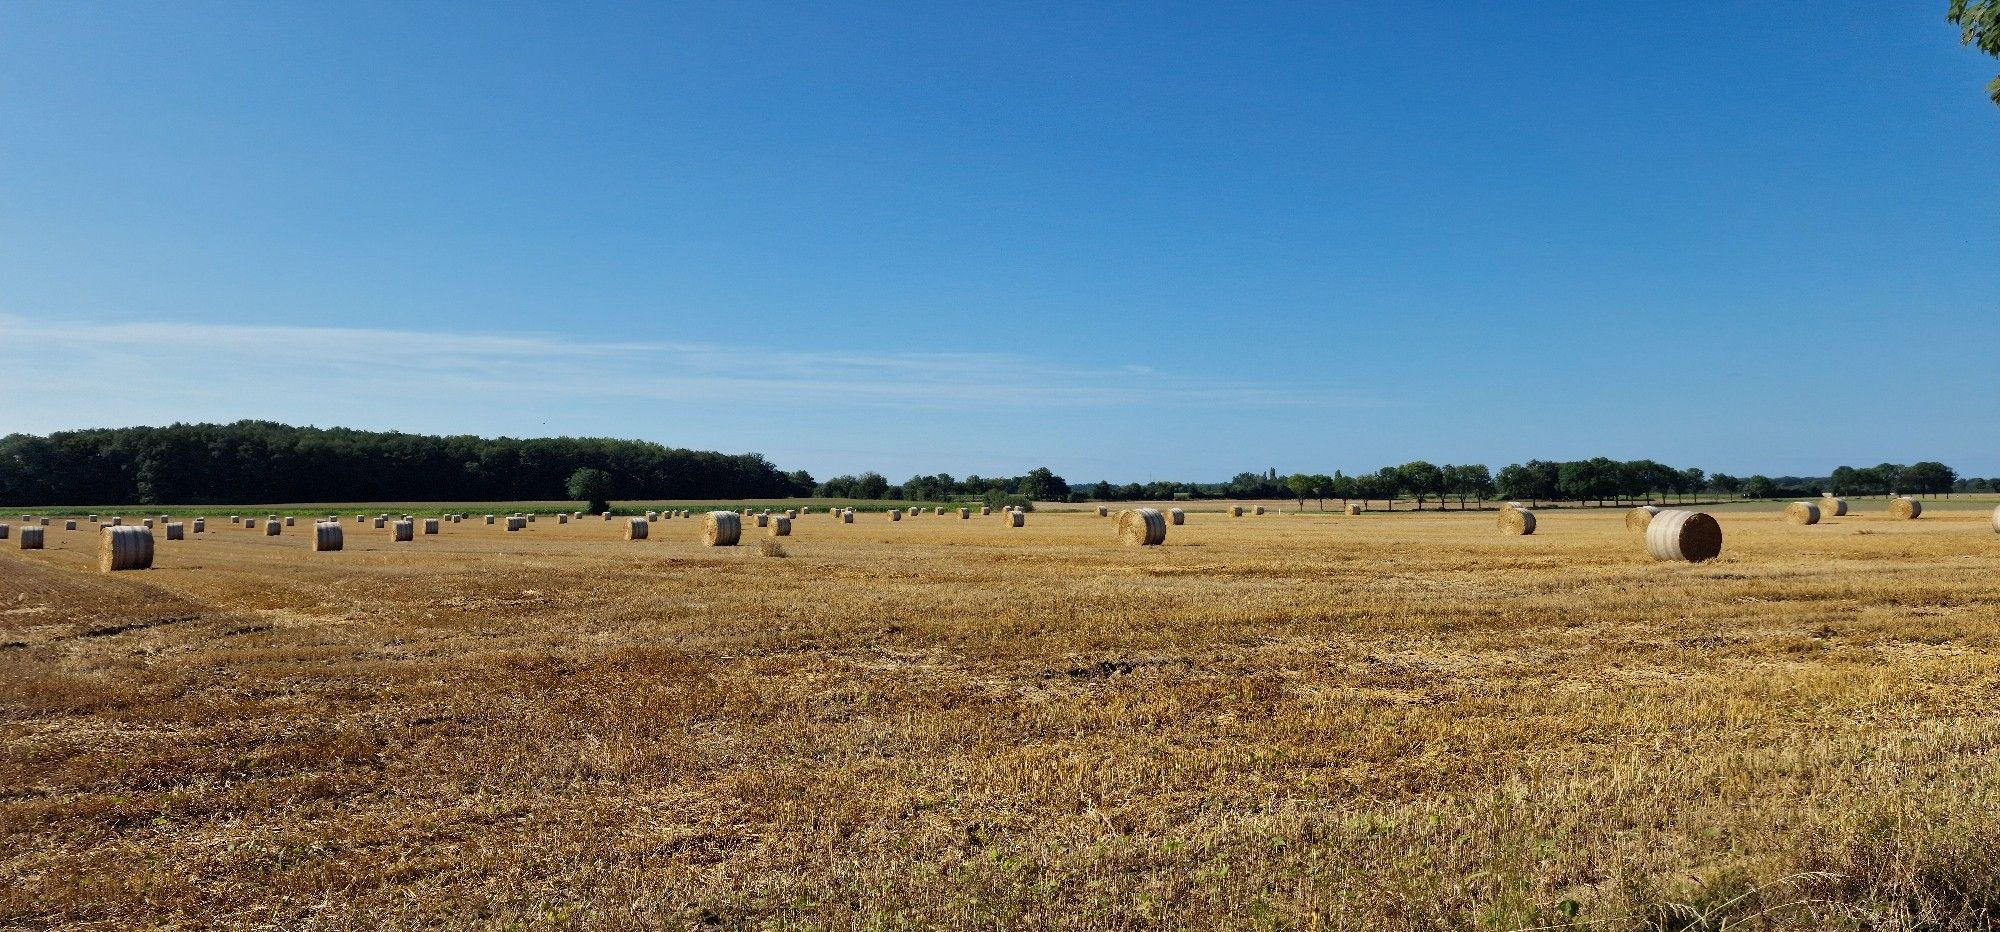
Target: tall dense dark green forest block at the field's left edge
253, 461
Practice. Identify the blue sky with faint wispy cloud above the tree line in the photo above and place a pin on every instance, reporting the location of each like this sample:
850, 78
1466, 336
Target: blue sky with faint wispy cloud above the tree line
1131, 243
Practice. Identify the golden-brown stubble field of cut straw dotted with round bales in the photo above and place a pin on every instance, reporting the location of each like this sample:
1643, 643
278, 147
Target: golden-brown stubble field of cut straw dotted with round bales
1395, 723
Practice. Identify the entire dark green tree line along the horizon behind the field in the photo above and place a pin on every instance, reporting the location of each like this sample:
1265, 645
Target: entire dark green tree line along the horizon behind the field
251, 461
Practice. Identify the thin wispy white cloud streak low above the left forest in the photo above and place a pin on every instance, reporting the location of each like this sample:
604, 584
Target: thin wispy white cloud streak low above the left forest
227, 361
